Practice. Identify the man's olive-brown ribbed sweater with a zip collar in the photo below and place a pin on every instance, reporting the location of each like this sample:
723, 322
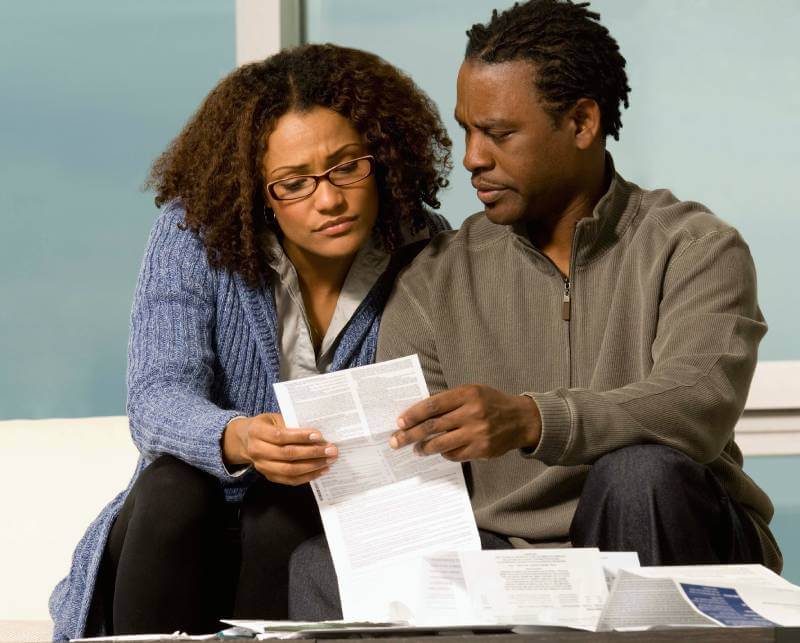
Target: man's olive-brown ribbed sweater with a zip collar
653, 339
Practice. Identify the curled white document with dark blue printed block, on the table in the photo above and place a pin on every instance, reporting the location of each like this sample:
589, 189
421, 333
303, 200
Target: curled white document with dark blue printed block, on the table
712, 595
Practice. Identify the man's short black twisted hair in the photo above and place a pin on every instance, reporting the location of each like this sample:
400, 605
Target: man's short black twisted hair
574, 55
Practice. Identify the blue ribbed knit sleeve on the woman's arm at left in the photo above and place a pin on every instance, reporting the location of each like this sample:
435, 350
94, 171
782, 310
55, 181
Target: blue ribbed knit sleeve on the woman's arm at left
170, 354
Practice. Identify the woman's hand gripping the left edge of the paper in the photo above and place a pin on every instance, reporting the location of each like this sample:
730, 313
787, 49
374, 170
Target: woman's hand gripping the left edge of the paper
282, 455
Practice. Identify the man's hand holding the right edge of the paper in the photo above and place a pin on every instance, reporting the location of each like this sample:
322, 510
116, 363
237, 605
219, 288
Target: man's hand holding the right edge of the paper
471, 422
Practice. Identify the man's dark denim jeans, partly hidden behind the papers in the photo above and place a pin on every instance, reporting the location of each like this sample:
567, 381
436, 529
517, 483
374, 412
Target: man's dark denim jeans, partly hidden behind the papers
649, 499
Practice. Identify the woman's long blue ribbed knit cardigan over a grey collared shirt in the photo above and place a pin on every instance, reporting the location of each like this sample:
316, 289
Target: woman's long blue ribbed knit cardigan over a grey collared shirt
203, 349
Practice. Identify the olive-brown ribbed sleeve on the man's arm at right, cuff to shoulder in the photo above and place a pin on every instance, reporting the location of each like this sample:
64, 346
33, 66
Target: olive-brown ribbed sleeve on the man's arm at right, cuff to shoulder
704, 354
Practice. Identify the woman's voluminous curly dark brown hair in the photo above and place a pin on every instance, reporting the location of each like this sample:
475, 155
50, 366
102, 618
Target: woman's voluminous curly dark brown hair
214, 165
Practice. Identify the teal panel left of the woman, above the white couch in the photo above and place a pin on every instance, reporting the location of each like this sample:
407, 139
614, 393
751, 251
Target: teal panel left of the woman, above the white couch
92, 91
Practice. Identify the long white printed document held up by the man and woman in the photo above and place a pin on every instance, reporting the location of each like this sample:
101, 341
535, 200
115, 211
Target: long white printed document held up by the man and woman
382, 508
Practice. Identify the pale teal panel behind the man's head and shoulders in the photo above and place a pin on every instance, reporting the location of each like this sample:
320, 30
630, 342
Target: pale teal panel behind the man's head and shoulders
713, 103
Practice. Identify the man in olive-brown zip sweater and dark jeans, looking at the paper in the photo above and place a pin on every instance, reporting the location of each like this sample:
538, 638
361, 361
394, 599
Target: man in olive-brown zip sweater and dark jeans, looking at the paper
588, 344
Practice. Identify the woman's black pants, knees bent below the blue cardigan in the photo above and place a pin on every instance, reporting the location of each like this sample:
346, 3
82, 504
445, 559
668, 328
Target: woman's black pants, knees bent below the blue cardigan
180, 558
